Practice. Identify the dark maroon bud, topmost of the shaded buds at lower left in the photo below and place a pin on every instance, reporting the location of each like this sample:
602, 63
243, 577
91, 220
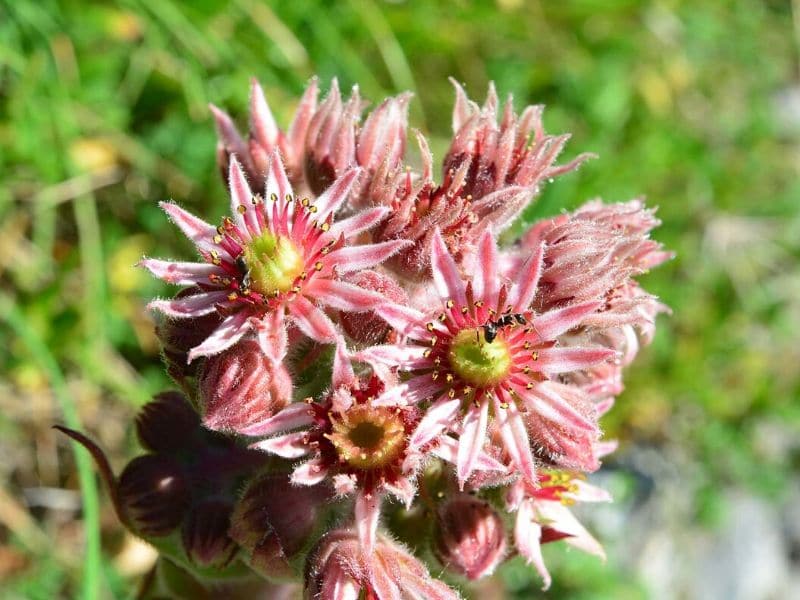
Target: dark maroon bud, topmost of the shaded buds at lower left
168, 424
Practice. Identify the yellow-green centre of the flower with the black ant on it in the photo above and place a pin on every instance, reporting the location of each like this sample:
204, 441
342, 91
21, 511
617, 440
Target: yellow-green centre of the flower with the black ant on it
478, 362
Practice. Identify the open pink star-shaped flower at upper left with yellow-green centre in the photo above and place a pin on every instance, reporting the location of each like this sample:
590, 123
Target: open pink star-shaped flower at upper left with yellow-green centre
275, 257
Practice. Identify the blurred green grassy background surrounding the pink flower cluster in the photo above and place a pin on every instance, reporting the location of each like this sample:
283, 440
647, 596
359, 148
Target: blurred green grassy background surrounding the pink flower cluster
695, 105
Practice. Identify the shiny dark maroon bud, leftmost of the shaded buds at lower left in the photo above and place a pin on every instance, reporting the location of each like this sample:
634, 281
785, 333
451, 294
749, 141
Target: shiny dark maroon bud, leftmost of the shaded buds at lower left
153, 495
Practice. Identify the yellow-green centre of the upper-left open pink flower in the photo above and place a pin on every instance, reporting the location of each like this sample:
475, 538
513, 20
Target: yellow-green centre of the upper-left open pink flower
274, 263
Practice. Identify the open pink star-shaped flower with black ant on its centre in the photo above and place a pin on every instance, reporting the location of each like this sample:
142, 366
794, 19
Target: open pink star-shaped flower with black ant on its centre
486, 359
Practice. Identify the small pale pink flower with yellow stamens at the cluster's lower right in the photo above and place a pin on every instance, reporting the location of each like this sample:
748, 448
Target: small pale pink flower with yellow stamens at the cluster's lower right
543, 516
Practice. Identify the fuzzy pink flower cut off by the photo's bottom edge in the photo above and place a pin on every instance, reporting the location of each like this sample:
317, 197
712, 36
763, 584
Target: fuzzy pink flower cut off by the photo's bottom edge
341, 569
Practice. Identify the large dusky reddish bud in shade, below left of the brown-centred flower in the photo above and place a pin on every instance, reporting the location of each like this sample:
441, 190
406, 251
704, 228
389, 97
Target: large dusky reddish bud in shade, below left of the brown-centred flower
273, 520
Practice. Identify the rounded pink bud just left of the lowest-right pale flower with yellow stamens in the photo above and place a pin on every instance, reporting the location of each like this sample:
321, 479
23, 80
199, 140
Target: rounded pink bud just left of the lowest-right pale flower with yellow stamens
469, 537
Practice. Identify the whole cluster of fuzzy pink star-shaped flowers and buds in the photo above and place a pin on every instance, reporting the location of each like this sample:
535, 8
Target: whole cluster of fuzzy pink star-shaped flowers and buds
353, 334
